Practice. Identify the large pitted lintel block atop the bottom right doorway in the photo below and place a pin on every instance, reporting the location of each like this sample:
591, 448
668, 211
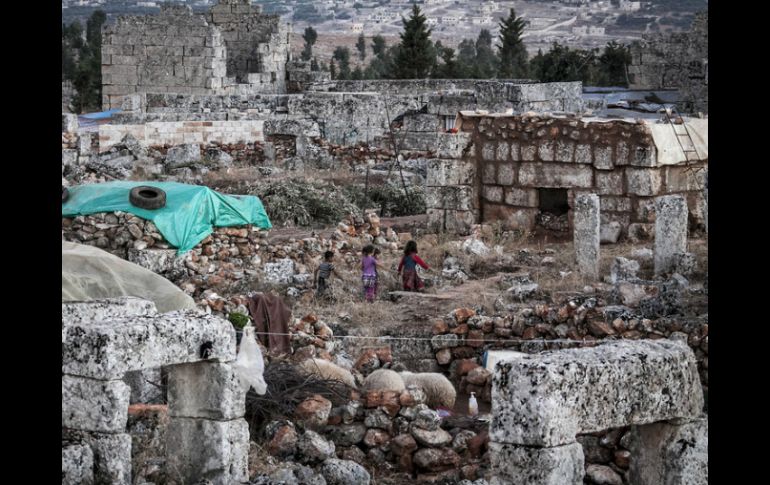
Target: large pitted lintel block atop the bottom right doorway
549, 398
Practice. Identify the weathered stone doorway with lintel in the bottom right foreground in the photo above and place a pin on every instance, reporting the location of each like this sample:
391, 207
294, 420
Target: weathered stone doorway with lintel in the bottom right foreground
542, 402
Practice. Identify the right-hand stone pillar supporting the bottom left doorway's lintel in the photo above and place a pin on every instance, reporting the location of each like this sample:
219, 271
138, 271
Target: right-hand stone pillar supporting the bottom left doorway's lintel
207, 435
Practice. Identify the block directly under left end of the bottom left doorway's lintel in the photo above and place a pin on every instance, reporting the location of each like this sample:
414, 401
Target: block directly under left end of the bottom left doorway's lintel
94, 405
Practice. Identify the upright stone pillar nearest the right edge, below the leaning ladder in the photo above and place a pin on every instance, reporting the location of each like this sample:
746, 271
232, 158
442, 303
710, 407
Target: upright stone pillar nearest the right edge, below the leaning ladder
670, 231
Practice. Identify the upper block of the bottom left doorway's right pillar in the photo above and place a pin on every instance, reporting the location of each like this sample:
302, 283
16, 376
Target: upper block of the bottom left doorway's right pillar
205, 390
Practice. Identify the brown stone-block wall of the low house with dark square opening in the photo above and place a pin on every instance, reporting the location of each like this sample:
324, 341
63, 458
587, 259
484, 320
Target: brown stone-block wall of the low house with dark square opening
514, 156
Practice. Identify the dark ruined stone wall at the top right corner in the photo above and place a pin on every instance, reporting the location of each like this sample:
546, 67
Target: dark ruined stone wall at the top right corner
677, 60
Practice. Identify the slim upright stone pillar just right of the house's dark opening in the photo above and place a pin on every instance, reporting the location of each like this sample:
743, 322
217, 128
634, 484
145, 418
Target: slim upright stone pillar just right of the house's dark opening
587, 234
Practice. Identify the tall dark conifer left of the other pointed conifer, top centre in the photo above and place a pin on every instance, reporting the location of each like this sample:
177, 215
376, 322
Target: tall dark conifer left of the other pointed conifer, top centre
415, 57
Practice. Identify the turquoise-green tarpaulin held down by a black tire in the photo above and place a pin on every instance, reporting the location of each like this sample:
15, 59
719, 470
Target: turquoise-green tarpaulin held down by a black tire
190, 214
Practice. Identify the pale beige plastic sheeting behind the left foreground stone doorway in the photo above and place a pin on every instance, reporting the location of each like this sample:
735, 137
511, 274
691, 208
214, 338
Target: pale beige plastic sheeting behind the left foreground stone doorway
89, 273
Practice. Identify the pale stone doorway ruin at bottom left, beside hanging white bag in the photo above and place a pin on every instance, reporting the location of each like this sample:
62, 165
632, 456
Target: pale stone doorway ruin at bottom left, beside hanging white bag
102, 342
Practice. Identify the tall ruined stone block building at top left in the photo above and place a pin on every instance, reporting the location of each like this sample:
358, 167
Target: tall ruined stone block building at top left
234, 48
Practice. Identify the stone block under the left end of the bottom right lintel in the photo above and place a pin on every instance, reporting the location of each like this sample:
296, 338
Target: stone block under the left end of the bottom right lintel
558, 465
